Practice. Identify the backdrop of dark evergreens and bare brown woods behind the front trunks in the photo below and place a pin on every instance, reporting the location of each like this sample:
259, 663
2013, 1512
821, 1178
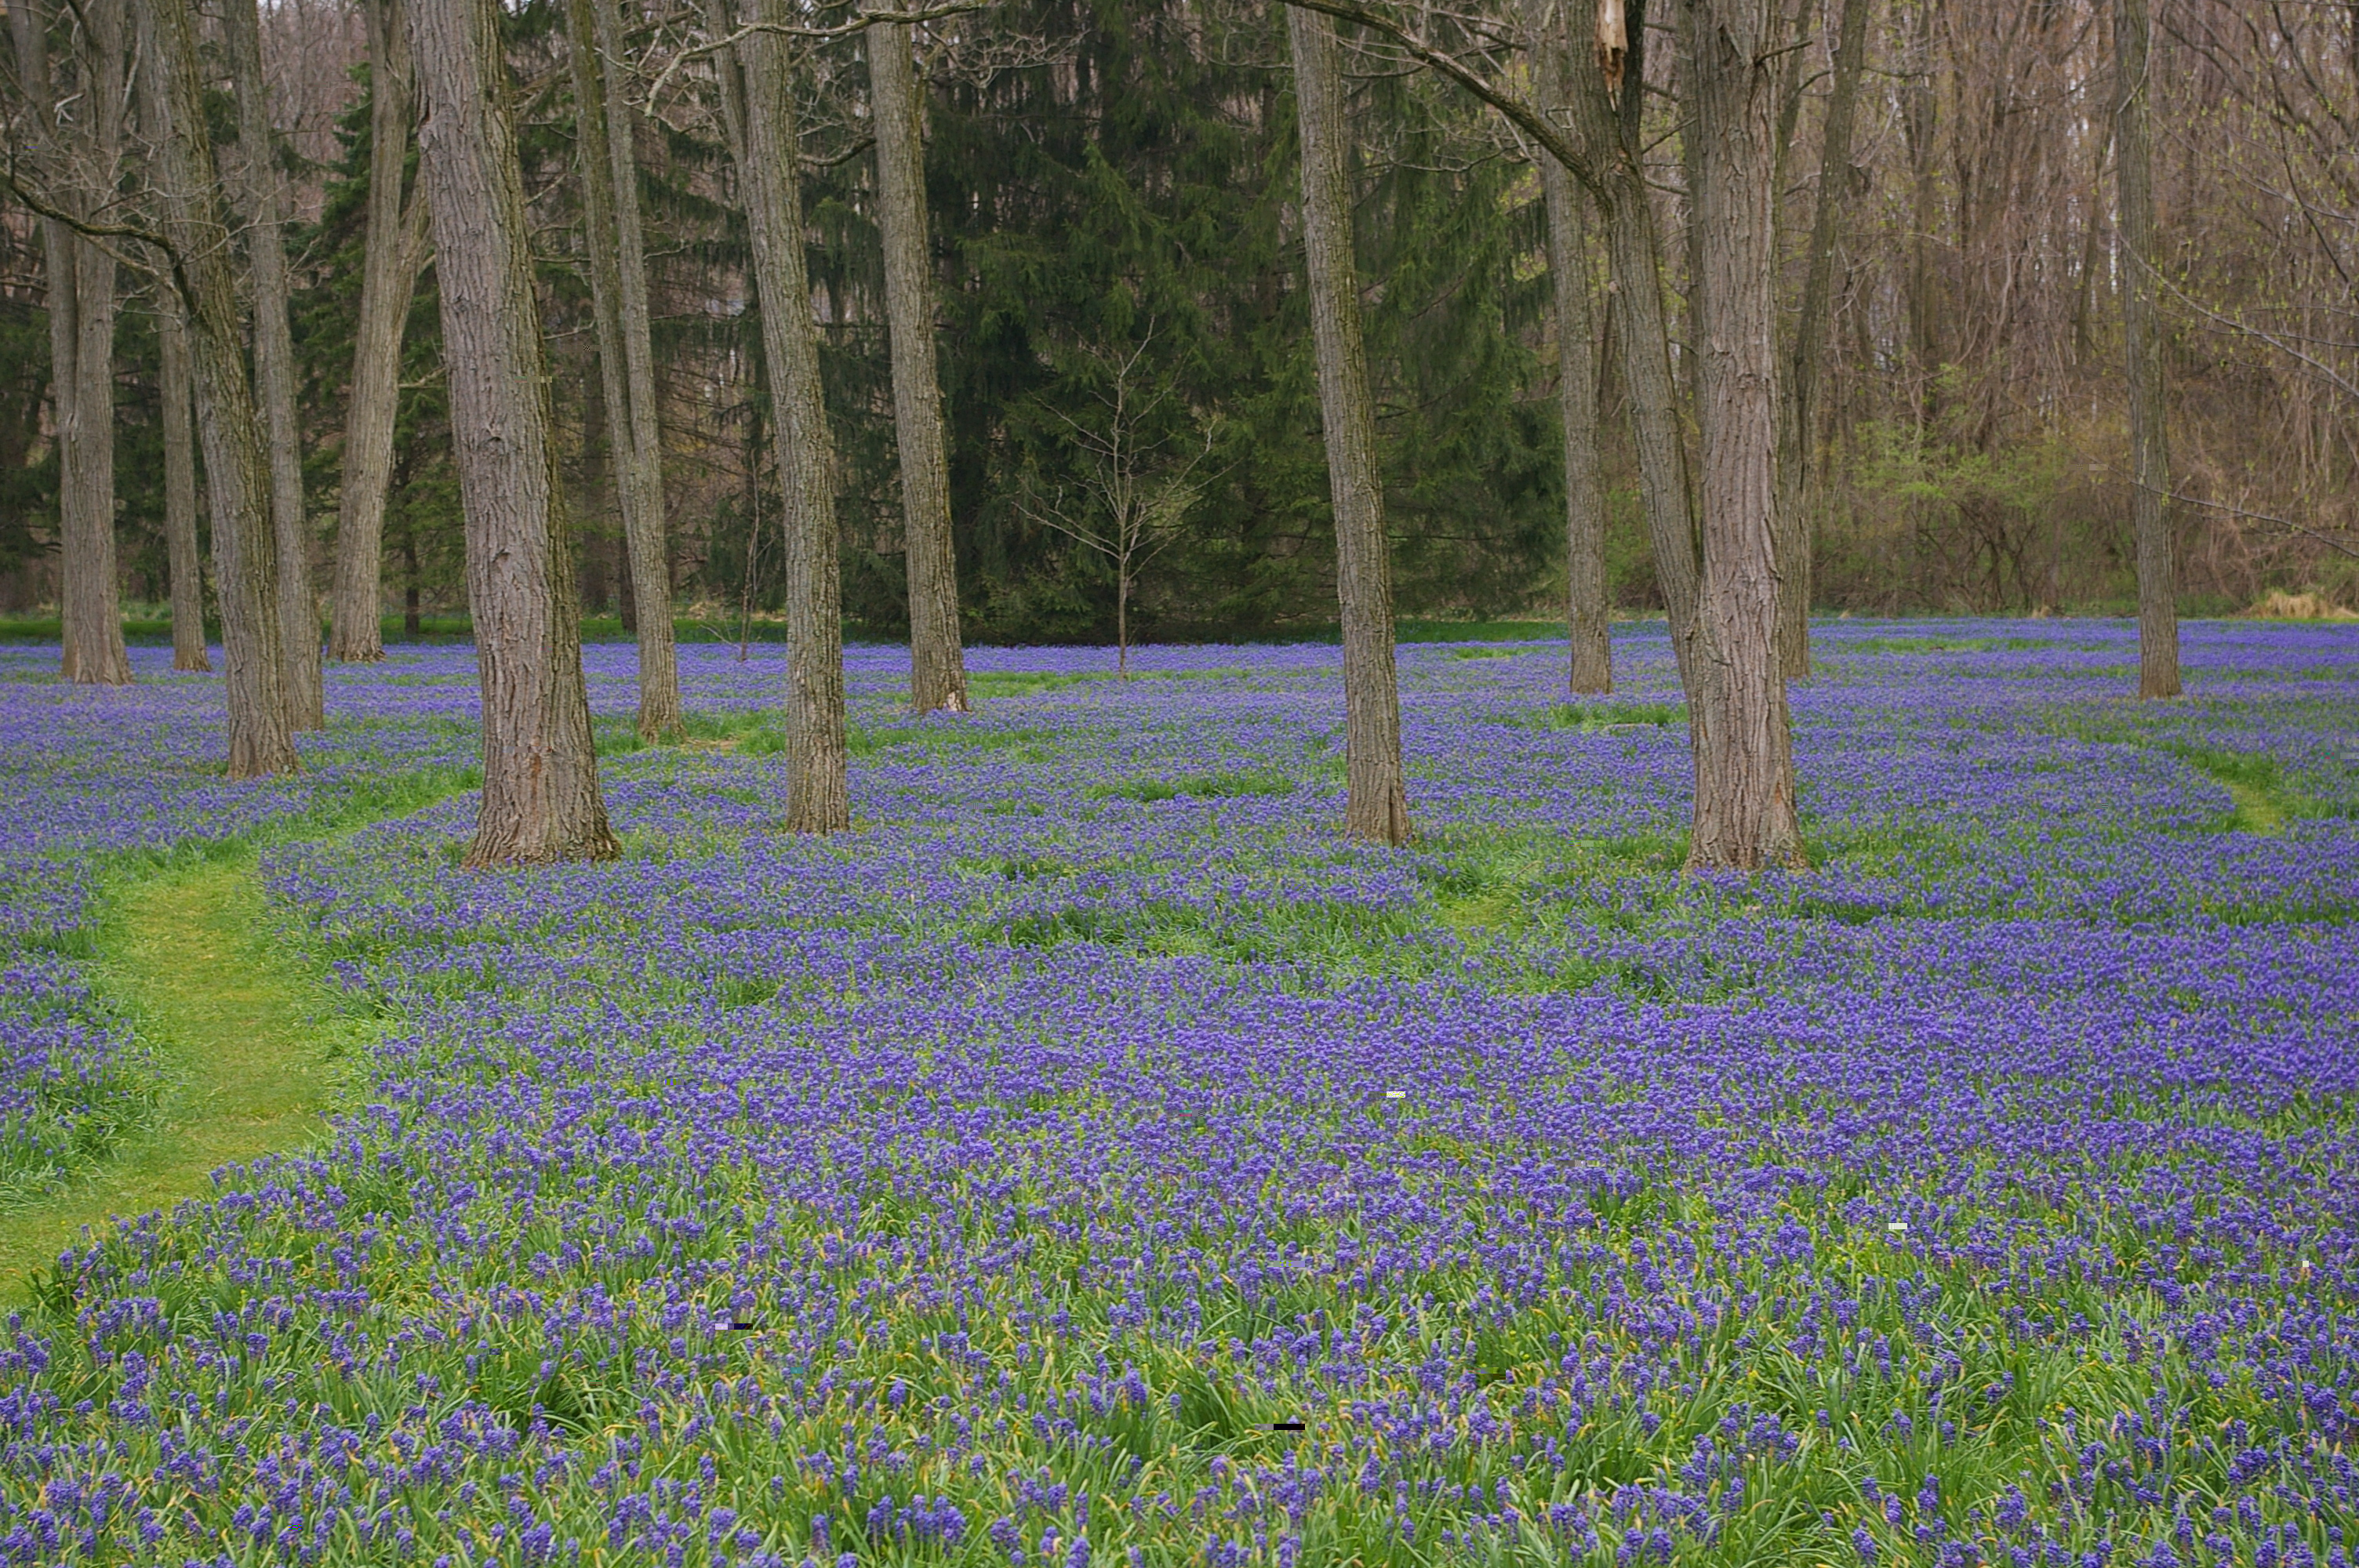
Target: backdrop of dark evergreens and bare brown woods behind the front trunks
1117, 239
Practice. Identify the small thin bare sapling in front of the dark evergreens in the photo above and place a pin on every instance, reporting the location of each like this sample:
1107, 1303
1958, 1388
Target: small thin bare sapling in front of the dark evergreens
1136, 489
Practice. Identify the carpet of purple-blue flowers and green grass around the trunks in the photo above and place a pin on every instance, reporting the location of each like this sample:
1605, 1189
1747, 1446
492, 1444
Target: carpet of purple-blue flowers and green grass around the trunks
1093, 1159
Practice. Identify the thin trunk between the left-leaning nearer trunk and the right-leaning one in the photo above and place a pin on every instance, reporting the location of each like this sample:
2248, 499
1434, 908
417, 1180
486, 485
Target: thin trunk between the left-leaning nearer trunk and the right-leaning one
275, 369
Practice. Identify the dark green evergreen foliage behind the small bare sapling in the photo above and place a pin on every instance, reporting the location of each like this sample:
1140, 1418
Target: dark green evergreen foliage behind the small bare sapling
1136, 199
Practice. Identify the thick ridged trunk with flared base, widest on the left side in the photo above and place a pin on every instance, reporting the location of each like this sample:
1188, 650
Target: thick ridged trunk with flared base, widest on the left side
541, 793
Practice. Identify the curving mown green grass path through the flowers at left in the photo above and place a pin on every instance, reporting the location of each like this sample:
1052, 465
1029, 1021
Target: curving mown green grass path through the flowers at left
244, 1041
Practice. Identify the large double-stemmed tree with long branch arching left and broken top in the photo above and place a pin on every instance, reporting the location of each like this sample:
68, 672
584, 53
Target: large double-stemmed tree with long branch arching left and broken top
1721, 584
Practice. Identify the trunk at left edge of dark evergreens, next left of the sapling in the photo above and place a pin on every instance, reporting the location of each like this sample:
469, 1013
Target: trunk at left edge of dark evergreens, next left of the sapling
938, 668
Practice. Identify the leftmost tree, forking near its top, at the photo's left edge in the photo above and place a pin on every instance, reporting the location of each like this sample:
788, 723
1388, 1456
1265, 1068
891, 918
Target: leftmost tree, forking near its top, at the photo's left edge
77, 143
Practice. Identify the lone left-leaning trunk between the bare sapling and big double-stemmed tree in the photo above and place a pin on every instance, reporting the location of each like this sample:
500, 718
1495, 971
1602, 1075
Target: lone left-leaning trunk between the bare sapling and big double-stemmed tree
1376, 803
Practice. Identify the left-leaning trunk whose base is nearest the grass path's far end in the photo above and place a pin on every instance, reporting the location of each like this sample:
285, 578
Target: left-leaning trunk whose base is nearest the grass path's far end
237, 468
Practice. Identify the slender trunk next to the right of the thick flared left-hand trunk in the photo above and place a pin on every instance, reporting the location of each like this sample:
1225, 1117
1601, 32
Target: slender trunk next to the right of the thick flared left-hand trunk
626, 357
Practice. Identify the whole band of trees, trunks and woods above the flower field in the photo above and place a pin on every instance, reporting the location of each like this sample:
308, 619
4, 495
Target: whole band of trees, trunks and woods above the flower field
1060, 317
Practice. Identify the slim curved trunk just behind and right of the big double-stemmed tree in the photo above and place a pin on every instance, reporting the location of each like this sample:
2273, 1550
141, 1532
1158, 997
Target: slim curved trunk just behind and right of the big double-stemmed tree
1796, 430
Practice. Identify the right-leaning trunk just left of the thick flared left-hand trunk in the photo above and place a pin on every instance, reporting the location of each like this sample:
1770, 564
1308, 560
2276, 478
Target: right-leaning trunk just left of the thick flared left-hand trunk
390, 263
